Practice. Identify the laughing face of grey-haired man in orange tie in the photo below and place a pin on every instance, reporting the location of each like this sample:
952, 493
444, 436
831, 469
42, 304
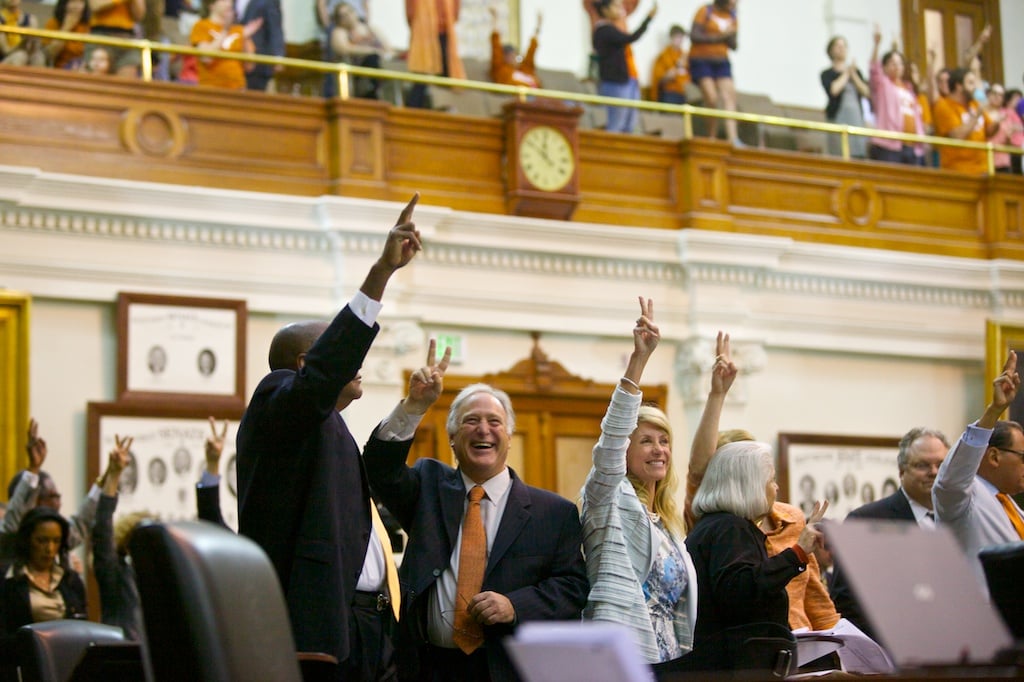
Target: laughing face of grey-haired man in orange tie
482, 439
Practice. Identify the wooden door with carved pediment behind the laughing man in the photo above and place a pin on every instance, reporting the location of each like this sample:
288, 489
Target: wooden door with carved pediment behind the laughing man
559, 420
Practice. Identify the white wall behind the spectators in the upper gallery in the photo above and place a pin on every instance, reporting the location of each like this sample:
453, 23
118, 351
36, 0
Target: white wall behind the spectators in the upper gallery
782, 42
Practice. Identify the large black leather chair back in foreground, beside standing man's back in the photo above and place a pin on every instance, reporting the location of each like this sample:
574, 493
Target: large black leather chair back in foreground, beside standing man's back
212, 606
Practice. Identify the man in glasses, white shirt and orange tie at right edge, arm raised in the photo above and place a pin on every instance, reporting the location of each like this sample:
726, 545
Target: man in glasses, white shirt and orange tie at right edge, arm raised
973, 489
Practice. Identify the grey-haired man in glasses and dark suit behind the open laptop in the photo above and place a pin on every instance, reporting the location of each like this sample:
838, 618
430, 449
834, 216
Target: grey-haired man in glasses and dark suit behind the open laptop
921, 452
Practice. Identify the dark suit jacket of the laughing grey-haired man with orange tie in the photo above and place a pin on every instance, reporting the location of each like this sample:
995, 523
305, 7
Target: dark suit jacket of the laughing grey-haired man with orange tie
536, 561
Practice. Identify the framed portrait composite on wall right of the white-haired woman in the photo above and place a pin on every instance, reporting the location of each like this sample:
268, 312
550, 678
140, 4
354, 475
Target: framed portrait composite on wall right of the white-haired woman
848, 472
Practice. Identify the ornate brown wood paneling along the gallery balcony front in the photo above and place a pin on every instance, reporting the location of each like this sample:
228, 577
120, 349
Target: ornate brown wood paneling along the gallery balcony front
168, 134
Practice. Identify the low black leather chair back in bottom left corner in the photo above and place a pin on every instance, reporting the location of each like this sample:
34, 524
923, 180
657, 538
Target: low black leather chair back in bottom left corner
52, 652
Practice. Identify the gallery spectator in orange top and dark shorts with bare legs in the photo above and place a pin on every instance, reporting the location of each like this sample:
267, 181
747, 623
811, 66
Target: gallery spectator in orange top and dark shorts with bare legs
714, 33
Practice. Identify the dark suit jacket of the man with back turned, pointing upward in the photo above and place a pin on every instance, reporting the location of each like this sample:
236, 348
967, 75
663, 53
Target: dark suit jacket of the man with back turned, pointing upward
303, 490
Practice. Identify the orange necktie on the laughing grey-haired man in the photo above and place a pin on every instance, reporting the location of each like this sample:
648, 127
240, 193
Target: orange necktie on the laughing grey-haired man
468, 634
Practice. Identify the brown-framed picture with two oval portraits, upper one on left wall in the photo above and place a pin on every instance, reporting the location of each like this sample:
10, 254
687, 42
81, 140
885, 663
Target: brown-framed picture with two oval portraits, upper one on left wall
182, 350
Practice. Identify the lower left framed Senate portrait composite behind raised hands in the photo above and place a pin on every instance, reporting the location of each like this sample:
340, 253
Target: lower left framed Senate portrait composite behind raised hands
168, 457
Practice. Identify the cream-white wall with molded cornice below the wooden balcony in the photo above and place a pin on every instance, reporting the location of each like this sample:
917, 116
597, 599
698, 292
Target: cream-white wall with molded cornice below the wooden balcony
830, 339
